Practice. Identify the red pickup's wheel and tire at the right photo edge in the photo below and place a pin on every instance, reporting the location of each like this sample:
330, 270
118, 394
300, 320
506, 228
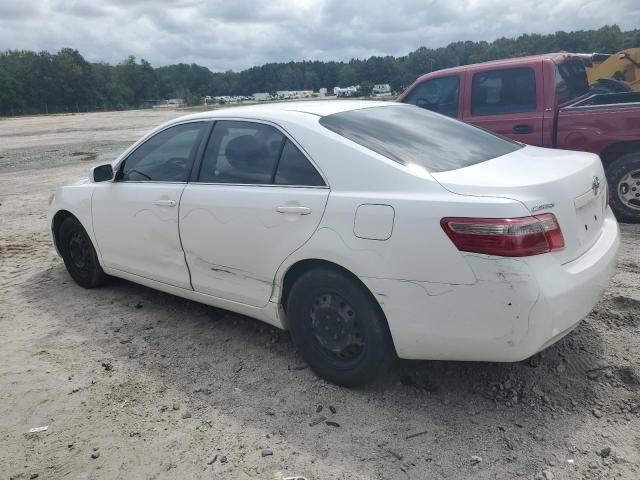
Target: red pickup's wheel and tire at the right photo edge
623, 175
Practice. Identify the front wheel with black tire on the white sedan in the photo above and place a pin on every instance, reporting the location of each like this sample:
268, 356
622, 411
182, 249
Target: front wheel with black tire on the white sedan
79, 255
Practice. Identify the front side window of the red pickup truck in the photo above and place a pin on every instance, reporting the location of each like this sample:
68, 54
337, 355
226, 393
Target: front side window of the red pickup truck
438, 95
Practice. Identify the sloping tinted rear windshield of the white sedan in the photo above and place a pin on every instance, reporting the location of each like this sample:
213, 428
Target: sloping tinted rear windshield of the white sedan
411, 135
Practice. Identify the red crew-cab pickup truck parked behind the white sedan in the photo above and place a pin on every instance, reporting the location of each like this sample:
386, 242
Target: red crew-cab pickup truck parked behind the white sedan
545, 100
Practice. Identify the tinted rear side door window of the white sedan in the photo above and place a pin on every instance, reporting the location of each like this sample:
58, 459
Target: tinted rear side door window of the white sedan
254, 154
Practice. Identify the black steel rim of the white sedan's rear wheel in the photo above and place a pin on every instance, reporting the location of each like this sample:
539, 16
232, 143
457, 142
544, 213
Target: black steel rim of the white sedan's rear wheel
337, 329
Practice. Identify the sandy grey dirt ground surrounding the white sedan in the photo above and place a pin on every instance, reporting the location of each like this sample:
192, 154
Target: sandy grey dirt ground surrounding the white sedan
137, 384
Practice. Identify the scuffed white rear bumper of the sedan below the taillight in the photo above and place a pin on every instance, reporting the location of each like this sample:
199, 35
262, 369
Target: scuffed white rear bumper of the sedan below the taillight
516, 307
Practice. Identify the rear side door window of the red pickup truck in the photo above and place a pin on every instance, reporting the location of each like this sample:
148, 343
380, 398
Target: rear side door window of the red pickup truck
500, 92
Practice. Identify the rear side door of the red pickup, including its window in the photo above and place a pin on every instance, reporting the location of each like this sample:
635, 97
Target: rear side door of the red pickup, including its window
508, 101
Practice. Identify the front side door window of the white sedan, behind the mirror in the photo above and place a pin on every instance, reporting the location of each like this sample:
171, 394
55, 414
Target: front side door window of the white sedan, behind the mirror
165, 157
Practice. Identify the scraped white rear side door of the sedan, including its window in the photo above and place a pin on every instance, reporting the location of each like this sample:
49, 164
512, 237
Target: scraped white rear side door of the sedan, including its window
256, 200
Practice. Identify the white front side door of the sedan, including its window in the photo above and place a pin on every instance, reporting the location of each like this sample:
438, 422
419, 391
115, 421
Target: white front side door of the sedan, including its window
135, 217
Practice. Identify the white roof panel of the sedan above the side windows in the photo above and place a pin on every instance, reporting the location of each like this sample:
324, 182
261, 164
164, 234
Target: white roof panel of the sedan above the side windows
320, 108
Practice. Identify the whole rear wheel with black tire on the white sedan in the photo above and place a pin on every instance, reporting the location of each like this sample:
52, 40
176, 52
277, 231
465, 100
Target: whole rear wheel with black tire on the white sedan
339, 328
